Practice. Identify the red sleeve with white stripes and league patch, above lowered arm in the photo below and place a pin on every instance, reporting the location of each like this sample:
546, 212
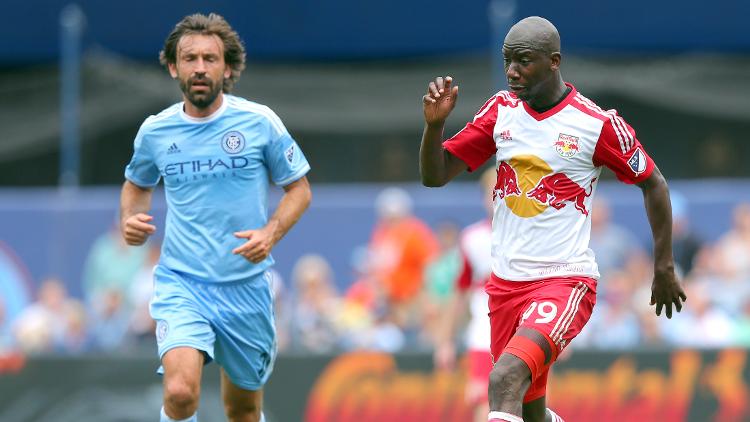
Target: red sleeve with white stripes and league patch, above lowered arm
618, 149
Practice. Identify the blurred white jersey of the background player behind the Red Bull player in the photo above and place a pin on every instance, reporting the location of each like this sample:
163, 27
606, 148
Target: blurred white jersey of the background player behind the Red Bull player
475, 244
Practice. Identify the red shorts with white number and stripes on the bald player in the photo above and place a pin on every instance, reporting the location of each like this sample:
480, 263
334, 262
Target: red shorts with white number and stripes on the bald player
555, 307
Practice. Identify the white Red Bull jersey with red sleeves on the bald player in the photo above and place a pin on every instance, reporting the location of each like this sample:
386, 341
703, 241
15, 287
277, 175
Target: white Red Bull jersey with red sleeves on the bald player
547, 168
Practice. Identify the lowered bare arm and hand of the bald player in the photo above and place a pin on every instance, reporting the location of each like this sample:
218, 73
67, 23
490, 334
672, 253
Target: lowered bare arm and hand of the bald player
665, 290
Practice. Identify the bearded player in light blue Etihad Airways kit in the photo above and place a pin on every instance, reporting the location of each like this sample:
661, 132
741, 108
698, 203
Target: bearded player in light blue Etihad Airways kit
216, 154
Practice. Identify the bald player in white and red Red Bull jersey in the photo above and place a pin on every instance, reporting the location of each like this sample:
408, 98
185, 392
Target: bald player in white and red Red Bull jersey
550, 144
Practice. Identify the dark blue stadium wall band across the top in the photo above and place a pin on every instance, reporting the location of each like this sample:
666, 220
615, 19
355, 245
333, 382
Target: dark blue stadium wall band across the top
340, 29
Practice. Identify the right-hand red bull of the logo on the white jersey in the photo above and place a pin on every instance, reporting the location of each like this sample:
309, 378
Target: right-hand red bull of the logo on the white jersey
557, 189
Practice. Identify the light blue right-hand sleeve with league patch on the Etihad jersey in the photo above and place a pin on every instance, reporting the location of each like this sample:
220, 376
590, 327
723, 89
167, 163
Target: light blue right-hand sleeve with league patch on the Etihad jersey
285, 160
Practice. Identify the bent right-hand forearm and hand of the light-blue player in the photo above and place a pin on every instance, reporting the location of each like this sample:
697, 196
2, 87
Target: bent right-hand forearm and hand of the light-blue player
296, 199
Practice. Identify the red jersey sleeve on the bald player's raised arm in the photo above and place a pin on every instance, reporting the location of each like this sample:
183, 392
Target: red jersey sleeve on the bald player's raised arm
474, 144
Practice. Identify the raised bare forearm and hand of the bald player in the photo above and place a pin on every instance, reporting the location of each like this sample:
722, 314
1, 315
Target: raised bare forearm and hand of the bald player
437, 166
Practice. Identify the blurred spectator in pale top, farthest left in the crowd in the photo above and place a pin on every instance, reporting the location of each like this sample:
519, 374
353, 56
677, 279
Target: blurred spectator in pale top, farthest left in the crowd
43, 326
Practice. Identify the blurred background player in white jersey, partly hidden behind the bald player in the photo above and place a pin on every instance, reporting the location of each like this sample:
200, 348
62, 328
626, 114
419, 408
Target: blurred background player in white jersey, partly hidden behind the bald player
475, 245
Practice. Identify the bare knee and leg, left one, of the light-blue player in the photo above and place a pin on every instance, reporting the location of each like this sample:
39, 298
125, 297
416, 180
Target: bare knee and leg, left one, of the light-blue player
183, 367
